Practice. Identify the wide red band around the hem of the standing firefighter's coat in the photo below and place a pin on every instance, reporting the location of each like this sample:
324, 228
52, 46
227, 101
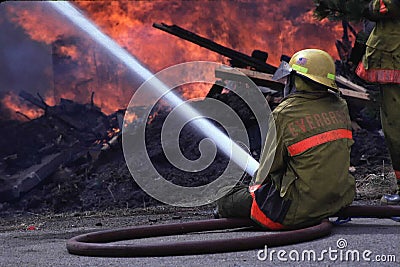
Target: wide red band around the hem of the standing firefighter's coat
378, 75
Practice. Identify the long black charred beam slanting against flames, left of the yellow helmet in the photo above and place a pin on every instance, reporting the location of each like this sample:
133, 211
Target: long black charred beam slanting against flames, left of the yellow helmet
213, 46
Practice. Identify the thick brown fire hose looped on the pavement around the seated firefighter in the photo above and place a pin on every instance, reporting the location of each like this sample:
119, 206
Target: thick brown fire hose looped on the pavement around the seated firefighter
96, 243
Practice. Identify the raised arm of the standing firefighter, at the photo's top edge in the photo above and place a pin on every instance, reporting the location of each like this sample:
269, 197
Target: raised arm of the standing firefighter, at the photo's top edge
383, 9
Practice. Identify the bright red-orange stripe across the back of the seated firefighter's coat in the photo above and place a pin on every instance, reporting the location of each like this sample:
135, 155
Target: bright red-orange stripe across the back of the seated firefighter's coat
319, 139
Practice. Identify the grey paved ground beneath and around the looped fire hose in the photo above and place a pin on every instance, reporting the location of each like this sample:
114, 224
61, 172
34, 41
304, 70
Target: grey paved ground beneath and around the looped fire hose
376, 240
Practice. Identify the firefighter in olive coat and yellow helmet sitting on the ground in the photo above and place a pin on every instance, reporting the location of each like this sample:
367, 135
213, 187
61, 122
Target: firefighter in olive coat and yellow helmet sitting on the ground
309, 178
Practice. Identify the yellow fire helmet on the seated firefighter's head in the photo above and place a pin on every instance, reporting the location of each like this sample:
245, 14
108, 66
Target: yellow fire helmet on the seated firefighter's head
316, 65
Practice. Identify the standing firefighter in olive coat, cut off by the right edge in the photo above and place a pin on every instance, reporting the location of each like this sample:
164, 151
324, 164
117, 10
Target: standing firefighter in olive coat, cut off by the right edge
381, 65
